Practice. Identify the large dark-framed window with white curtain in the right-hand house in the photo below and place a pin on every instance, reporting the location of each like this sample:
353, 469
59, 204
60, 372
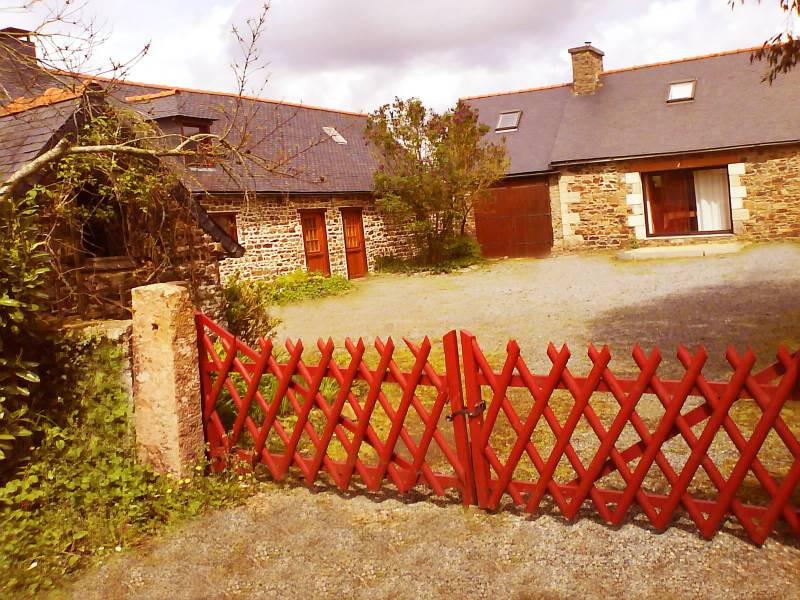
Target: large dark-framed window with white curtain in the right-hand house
687, 201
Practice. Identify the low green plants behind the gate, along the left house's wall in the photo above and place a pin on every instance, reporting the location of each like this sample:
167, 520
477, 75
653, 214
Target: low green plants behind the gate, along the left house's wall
248, 303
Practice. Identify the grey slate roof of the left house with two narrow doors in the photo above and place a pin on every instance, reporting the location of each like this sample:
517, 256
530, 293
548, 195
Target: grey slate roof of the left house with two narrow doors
288, 136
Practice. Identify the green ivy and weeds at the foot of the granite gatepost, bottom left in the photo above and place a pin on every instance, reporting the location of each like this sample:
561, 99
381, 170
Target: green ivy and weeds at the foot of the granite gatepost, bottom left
82, 495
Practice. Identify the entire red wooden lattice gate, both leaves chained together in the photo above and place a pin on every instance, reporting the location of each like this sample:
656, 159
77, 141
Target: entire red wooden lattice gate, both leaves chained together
714, 449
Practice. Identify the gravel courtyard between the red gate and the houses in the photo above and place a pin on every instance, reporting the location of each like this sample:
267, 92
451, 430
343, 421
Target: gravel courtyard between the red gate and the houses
752, 297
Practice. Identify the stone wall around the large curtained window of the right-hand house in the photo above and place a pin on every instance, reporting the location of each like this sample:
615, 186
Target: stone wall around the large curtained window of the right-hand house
603, 205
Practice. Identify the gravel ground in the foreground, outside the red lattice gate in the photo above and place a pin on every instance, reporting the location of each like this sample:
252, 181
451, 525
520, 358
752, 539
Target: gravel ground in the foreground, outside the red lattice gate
297, 544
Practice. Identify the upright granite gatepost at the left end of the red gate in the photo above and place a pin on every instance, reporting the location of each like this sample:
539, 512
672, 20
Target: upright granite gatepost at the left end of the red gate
166, 382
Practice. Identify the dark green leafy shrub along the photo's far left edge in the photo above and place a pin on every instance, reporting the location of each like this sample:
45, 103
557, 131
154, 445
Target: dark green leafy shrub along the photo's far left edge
23, 267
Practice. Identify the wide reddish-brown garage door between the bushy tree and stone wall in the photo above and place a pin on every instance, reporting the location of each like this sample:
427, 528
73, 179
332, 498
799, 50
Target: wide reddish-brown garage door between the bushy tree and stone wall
517, 222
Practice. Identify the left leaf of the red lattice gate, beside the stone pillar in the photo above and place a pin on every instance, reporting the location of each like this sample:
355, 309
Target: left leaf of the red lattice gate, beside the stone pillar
378, 422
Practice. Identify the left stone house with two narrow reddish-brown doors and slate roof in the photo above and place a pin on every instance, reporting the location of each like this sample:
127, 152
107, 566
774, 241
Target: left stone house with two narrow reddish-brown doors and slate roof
300, 198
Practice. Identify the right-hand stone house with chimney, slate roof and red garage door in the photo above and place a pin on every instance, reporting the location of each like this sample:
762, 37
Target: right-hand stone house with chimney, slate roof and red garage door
685, 151
